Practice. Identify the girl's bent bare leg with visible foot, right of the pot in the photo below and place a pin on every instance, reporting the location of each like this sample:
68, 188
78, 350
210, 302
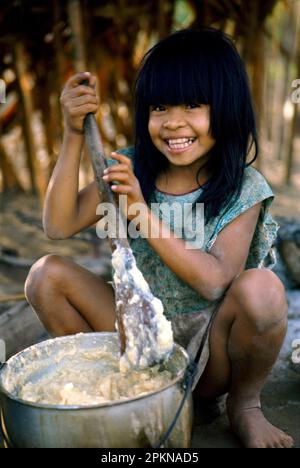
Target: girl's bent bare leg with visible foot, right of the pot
245, 340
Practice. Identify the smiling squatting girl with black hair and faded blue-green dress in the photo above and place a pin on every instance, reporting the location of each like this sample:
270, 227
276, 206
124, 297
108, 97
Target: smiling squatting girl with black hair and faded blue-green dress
194, 130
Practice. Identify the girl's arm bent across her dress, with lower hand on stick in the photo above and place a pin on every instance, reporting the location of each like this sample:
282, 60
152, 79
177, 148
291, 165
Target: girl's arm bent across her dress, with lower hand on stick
209, 274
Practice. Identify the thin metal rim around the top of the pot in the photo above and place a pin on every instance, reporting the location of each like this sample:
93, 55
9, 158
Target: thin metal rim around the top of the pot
86, 407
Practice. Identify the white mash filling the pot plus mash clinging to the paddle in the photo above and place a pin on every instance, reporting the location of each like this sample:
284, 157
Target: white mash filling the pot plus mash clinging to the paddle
91, 375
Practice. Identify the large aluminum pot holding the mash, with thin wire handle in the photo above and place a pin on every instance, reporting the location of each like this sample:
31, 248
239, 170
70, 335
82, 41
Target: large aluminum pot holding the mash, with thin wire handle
136, 422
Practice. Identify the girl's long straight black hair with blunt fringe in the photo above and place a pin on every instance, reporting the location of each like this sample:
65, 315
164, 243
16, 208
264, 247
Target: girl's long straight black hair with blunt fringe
198, 66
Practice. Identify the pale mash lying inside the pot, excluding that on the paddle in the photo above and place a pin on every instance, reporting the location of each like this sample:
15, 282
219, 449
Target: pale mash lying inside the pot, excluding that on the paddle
81, 377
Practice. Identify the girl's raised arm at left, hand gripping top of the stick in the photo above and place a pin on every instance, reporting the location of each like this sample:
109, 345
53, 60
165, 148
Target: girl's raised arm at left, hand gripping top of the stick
65, 210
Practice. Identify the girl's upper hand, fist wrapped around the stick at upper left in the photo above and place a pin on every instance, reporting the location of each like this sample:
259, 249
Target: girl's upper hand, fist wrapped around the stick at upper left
78, 100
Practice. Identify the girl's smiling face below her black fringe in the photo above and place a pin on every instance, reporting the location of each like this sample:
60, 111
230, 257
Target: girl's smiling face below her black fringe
181, 132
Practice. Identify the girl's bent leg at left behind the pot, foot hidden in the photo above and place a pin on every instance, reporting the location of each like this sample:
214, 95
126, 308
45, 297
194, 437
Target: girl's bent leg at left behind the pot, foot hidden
68, 298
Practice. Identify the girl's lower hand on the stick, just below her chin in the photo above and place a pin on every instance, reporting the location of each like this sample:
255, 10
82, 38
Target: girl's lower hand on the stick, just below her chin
128, 183
